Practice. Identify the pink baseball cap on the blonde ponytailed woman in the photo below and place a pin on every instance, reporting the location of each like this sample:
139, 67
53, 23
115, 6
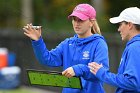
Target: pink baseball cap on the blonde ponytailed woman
84, 12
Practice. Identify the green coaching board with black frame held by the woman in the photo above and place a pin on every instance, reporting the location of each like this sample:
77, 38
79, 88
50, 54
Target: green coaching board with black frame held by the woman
50, 78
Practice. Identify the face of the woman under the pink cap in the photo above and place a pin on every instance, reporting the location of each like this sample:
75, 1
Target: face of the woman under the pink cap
82, 27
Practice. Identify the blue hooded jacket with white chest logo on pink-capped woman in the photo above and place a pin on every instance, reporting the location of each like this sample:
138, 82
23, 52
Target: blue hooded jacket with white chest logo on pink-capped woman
77, 53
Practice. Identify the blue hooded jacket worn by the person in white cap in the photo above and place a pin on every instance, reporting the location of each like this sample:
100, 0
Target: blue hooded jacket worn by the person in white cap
128, 77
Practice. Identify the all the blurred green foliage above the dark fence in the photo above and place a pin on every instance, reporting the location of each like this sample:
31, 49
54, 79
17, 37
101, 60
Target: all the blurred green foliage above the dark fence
52, 14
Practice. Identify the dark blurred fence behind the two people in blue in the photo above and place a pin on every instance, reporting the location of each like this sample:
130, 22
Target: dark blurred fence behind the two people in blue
25, 58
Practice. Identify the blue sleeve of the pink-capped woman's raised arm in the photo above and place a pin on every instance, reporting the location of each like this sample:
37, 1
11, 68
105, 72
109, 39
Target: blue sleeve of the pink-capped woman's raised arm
46, 57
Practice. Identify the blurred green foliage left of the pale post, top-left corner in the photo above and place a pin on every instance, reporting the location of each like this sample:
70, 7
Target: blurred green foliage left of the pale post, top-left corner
9, 13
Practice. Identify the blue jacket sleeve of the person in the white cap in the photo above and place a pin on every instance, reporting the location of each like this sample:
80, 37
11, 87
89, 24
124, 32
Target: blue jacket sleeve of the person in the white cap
130, 78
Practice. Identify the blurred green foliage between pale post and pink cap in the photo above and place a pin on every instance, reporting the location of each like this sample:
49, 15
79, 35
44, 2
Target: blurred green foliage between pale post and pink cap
54, 13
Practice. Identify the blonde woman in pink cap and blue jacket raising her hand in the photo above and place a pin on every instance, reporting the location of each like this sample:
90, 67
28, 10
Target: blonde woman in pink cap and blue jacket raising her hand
76, 52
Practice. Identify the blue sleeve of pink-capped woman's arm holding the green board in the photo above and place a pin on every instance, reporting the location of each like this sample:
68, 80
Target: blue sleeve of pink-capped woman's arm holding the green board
100, 56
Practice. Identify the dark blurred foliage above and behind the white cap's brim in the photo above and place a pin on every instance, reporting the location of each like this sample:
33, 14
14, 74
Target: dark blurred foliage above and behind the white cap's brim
113, 8
